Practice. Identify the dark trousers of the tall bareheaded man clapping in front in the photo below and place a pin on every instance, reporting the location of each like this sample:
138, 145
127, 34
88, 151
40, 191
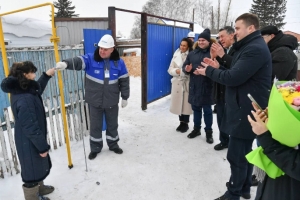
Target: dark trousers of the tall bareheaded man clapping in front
241, 171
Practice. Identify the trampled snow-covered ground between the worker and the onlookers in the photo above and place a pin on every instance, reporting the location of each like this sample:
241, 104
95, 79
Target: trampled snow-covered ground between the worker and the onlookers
158, 163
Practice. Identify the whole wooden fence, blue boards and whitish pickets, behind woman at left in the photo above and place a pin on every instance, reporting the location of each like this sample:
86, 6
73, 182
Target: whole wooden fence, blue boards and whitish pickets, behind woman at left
76, 108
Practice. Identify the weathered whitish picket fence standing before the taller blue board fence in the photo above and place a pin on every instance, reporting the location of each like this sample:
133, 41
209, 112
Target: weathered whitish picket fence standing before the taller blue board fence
78, 123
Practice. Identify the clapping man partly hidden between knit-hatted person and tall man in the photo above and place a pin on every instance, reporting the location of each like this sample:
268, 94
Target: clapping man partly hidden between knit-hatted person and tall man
226, 38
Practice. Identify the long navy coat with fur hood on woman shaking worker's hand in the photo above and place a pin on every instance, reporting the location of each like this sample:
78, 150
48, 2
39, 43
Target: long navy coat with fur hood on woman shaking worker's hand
30, 127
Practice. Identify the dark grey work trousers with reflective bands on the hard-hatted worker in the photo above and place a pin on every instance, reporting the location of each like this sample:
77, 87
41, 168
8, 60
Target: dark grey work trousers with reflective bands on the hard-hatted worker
96, 120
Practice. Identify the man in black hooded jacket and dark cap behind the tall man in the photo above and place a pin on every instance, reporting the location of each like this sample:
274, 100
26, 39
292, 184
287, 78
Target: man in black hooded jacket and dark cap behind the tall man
281, 46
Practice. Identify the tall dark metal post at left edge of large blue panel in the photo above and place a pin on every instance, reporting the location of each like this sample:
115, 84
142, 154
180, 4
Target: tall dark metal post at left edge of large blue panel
144, 47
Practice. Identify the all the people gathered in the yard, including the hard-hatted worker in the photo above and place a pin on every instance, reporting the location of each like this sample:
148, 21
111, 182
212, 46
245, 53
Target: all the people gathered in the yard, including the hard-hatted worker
243, 61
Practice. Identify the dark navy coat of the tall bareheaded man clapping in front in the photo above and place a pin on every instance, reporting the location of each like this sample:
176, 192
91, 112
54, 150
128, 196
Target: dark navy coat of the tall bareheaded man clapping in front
250, 73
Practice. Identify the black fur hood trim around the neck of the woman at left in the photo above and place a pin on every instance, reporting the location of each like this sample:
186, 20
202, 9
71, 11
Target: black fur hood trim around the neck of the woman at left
12, 85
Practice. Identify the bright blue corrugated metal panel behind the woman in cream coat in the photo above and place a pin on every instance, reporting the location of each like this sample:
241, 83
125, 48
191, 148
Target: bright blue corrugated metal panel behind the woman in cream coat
162, 42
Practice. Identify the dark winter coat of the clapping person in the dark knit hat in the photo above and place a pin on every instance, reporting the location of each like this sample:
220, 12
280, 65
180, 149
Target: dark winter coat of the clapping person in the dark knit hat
201, 87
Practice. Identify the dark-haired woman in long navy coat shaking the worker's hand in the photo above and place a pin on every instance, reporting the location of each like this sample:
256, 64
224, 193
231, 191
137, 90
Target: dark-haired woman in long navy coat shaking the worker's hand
30, 126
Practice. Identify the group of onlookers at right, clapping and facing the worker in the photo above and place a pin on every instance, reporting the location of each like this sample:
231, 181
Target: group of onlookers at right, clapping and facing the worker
243, 61
